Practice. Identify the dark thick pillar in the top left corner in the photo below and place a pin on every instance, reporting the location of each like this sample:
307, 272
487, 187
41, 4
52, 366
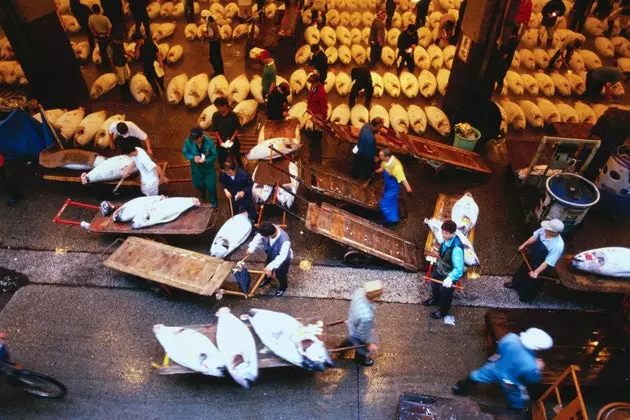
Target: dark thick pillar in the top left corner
42, 47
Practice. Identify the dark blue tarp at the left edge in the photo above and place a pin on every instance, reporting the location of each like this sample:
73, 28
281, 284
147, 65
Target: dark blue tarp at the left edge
23, 136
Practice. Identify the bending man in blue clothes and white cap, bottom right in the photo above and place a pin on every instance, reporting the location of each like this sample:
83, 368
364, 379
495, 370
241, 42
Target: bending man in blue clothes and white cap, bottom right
513, 366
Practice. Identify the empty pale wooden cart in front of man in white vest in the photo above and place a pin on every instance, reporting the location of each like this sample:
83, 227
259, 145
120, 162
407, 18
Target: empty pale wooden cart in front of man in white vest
175, 267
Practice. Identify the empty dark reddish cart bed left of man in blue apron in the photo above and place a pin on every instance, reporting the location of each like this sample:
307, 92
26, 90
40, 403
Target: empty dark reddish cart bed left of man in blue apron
340, 187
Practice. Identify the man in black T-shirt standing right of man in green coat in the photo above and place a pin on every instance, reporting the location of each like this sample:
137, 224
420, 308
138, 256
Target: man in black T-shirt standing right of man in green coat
225, 125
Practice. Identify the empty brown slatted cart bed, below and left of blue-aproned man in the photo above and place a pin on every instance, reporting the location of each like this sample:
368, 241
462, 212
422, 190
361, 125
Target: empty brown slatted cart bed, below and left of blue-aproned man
361, 234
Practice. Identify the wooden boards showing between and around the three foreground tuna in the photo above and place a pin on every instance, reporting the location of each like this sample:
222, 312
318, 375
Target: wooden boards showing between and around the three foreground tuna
266, 359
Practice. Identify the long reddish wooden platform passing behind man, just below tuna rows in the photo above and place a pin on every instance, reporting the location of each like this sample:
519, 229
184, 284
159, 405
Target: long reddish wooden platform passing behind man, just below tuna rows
413, 146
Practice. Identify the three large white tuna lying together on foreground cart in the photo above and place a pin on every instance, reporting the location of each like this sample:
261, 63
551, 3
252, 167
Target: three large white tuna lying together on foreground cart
235, 350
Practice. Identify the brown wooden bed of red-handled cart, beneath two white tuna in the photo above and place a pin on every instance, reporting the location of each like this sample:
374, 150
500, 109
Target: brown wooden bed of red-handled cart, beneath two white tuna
193, 222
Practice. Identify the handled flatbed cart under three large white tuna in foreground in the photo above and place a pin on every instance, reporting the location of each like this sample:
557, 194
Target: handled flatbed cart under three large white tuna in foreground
266, 359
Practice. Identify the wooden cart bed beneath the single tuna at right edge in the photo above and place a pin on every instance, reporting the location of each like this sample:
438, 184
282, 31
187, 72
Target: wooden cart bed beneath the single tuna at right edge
588, 282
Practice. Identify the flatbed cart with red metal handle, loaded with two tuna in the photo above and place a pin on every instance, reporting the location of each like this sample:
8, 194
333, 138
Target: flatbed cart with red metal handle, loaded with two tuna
193, 222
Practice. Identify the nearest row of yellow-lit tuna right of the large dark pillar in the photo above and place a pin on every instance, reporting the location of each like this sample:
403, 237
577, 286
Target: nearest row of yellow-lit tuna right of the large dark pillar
543, 111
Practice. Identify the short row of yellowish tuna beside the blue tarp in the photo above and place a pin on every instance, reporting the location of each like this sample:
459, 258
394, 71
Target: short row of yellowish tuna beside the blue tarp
82, 129
